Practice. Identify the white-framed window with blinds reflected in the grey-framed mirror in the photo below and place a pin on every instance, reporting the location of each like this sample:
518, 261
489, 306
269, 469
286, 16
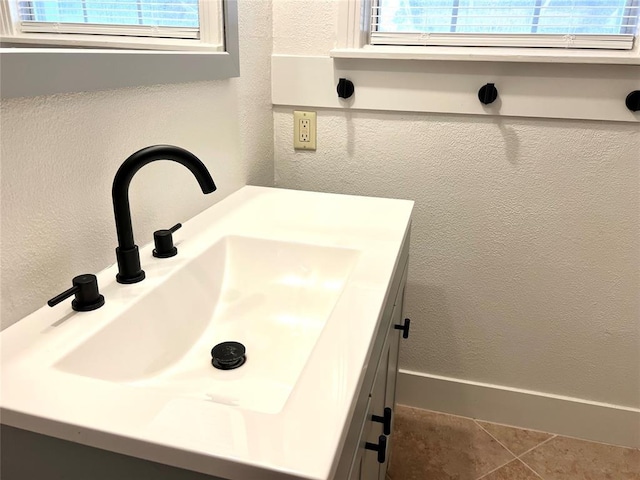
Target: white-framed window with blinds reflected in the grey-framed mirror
148, 24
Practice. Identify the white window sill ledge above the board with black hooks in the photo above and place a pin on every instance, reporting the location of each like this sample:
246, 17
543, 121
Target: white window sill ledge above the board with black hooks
492, 54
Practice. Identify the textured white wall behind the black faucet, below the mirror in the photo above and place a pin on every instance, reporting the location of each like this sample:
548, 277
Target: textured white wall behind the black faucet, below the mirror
60, 153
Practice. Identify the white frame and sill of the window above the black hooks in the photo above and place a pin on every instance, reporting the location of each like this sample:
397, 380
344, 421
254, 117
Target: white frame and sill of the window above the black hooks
355, 23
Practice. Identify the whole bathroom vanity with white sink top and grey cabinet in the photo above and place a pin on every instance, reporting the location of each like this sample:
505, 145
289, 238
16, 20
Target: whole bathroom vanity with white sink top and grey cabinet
311, 284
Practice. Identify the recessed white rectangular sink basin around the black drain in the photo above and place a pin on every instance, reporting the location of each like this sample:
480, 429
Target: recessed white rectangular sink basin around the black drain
273, 297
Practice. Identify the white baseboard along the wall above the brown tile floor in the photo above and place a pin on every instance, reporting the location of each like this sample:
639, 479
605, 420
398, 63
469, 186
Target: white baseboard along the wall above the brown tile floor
568, 416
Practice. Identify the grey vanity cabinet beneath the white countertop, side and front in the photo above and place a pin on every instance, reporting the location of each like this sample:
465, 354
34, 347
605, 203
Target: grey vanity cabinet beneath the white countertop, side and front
356, 461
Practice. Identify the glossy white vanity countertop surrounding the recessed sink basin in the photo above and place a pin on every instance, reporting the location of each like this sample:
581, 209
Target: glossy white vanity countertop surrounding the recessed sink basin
304, 439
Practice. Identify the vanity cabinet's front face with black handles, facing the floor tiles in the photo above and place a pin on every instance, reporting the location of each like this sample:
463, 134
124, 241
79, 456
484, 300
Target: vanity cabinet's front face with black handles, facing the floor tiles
359, 460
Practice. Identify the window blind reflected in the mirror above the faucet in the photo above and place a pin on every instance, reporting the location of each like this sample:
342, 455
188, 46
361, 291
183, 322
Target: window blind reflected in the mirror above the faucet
140, 18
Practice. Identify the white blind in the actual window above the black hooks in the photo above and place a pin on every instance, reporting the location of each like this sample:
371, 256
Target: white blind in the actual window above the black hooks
608, 24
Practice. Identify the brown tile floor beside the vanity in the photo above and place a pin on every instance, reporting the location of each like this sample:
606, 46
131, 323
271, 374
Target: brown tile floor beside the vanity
434, 446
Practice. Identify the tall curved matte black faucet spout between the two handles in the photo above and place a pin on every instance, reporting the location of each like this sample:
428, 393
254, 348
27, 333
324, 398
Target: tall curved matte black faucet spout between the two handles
129, 270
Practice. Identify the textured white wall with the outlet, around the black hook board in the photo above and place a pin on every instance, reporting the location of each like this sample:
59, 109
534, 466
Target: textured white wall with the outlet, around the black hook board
525, 254
